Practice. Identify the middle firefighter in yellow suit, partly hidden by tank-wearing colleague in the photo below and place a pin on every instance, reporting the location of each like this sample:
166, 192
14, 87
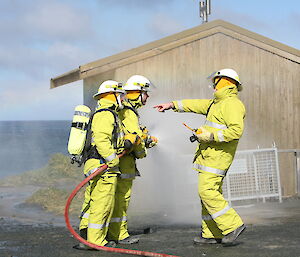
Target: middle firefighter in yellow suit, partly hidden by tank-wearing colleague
136, 89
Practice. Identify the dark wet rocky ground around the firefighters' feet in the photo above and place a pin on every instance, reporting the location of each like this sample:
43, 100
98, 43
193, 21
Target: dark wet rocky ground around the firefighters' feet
27, 231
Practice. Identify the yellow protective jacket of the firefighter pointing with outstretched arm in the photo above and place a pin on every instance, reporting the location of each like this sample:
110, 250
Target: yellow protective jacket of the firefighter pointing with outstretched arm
225, 119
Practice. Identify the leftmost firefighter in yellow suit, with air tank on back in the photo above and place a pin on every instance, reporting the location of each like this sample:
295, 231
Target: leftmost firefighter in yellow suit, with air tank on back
106, 143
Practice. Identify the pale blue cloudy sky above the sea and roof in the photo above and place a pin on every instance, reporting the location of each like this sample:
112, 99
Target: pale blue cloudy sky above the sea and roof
41, 39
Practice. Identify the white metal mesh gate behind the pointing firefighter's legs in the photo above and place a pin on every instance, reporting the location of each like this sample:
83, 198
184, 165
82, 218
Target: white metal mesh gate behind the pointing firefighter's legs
254, 174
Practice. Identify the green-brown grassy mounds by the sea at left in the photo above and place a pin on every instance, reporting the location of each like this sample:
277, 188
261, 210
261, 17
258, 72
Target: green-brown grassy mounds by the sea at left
56, 180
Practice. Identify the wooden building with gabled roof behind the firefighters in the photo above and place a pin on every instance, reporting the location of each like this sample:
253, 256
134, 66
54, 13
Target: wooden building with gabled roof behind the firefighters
179, 64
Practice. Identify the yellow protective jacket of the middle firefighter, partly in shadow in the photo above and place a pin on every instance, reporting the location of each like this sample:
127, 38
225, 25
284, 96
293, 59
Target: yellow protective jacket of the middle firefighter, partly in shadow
130, 122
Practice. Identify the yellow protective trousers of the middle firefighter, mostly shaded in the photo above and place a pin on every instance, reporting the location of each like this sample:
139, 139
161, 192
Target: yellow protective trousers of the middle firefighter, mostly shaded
118, 229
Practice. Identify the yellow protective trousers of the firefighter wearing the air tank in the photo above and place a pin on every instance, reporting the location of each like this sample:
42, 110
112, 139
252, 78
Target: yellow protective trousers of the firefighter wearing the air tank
98, 207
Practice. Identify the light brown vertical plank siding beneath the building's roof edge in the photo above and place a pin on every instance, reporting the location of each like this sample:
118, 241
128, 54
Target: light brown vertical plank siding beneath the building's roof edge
271, 87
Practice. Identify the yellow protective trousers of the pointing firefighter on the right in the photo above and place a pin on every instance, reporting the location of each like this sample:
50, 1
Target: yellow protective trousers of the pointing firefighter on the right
218, 218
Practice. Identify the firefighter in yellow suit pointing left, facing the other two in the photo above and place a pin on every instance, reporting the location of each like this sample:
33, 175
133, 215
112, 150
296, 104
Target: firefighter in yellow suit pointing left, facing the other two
218, 139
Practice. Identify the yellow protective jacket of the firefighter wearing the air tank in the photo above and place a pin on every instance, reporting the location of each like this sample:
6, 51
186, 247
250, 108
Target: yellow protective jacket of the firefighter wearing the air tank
107, 136
